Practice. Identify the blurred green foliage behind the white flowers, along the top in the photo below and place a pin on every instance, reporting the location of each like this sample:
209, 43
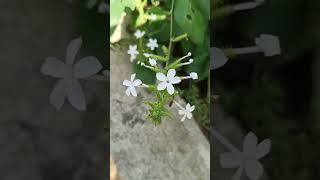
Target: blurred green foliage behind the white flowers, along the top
188, 14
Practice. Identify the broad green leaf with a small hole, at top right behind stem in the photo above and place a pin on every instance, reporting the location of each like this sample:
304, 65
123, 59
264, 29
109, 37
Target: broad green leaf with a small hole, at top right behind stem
190, 20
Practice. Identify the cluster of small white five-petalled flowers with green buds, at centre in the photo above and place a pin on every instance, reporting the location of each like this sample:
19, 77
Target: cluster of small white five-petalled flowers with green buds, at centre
165, 69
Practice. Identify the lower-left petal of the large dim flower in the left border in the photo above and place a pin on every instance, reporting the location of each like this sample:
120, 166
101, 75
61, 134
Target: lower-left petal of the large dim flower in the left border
58, 95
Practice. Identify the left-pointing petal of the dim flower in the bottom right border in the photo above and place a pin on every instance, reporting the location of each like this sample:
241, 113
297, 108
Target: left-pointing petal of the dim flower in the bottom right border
231, 159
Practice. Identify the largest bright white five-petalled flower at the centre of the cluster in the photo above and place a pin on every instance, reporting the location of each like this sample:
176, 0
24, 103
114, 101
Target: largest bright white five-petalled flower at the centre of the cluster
168, 81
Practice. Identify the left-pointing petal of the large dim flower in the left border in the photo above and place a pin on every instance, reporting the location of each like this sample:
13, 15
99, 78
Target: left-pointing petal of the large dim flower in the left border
53, 67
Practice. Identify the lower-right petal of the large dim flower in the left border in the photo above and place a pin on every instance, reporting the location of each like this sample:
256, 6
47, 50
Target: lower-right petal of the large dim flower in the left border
75, 94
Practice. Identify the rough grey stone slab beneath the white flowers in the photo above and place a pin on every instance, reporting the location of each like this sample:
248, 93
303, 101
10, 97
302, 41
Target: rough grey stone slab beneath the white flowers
174, 150
